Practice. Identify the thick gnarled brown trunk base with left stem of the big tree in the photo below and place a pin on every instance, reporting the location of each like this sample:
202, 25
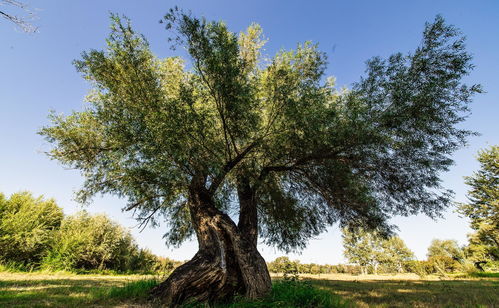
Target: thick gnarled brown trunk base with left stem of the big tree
227, 263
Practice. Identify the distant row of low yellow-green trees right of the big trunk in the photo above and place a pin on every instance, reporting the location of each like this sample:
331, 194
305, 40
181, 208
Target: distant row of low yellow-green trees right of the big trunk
373, 255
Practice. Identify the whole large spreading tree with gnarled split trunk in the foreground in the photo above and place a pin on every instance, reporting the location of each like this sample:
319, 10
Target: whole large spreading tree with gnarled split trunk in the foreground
272, 141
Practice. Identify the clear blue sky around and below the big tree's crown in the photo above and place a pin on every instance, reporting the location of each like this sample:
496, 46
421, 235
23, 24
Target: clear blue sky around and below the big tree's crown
36, 75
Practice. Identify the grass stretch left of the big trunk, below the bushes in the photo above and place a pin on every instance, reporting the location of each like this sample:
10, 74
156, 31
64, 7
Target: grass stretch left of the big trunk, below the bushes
39, 290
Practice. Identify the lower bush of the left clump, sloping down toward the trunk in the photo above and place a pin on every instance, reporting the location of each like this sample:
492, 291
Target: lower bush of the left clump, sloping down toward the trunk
90, 242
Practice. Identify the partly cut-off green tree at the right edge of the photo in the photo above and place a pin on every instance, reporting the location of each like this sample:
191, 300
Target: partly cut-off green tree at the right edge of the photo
483, 208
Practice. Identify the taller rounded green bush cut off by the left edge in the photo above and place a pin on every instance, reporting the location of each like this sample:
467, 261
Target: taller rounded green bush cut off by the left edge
27, 227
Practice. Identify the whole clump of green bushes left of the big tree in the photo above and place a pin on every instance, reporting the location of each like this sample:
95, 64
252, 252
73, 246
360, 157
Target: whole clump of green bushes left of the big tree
35, 234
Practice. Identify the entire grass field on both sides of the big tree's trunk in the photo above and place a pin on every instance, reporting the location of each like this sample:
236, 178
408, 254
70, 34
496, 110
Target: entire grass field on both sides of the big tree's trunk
69, 290
